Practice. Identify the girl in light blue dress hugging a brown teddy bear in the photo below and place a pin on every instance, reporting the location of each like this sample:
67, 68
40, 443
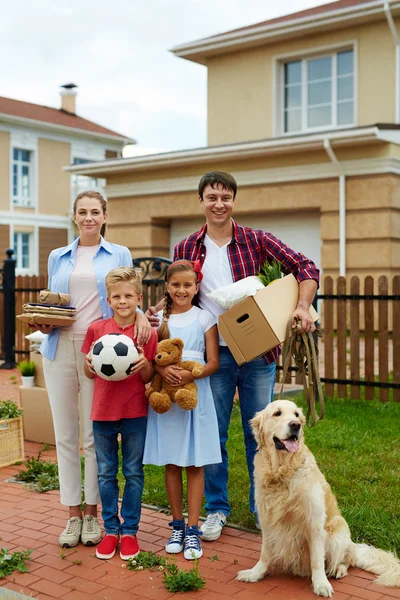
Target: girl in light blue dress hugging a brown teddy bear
181, 438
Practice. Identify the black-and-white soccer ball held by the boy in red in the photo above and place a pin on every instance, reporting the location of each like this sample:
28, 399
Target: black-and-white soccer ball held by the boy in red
113, 355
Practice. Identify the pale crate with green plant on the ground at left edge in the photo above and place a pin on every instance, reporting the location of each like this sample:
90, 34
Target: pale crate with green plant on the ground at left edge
11, 433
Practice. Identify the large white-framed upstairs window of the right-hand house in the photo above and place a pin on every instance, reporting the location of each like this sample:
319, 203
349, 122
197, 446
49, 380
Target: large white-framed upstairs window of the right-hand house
319, 92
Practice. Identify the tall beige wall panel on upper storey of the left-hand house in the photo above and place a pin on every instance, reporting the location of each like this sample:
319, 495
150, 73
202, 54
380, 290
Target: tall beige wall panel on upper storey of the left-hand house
54, 183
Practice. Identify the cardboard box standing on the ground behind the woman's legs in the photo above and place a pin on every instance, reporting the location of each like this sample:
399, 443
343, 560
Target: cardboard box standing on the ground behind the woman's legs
37, 417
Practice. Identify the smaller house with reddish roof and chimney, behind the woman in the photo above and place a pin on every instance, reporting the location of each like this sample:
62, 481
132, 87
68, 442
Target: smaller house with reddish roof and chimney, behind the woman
36, 194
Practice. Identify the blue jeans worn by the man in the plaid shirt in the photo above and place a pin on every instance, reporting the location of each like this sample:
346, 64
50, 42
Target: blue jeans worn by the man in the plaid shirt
255, 381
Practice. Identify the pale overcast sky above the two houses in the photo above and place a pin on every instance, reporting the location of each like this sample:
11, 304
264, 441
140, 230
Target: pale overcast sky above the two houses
117, 51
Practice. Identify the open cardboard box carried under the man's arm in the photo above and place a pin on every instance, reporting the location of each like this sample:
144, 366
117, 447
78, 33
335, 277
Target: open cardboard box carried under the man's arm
259, 323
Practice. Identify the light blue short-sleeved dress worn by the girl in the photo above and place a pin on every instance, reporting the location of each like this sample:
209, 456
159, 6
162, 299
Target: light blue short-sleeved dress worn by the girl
186, 437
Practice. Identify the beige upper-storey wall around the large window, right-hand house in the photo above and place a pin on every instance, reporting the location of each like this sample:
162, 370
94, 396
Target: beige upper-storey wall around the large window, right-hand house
240, 84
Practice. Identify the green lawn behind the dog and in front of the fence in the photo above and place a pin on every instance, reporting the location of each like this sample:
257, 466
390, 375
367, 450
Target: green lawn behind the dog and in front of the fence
357, 447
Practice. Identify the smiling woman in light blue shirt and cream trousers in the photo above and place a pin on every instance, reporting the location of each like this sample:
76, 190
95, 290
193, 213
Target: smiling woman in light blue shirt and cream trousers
80, 270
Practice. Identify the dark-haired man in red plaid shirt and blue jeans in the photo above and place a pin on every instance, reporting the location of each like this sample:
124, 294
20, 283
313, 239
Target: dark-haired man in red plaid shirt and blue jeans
229, 252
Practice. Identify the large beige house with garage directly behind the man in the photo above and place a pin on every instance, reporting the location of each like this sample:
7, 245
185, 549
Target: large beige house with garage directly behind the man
305, 111
